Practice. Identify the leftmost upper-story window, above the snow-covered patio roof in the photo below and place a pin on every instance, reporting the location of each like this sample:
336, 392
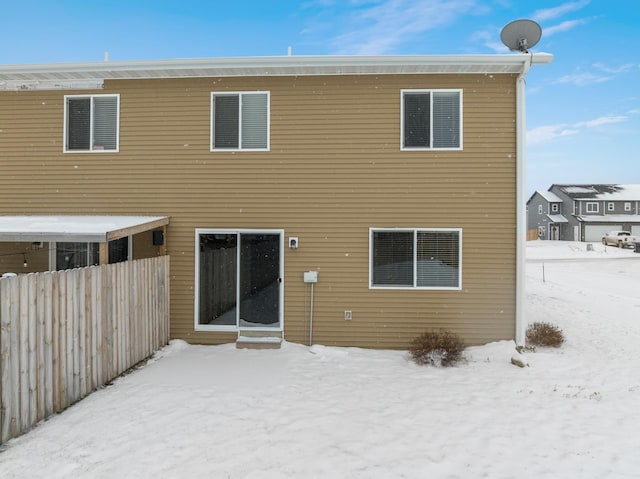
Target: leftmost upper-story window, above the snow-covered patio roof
91, 123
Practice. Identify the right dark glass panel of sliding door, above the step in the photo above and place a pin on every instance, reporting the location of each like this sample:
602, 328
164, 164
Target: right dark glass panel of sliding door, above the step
259, 280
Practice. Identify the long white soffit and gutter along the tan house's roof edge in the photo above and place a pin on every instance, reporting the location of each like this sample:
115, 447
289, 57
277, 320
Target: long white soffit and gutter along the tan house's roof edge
12, 75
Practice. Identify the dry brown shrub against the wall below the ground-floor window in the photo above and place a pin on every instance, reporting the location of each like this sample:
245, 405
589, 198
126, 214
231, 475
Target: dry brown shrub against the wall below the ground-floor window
437, 348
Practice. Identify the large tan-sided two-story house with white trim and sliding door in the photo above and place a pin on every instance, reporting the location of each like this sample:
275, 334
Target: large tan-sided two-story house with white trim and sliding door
349, 201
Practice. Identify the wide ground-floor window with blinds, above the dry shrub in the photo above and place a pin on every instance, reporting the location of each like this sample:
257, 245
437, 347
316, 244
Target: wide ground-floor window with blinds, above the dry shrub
415, 258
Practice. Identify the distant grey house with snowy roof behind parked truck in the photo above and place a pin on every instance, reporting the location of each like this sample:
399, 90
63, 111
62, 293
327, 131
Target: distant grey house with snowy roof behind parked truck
584, 212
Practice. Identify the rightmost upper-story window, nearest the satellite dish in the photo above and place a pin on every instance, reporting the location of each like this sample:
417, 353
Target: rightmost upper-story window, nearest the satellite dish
431, 120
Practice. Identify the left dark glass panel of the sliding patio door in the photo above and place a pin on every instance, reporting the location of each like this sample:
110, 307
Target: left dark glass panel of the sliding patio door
218, 279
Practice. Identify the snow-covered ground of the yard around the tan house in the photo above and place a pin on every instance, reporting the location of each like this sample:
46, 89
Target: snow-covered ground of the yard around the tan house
320, 412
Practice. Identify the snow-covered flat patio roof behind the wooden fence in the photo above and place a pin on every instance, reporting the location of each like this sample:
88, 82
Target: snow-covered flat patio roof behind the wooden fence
68, 228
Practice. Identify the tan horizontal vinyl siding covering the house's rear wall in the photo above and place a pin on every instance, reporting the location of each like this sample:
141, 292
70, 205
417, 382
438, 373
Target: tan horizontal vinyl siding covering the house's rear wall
334, 170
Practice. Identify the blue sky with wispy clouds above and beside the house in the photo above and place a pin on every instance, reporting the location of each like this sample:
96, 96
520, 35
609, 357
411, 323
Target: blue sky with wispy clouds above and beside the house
583, 110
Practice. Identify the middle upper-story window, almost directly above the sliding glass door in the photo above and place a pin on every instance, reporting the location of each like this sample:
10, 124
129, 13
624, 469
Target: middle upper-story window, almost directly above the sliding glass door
240, 121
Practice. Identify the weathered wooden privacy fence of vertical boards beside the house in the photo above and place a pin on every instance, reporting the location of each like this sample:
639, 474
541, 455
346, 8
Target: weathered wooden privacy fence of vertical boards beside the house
64, 334
